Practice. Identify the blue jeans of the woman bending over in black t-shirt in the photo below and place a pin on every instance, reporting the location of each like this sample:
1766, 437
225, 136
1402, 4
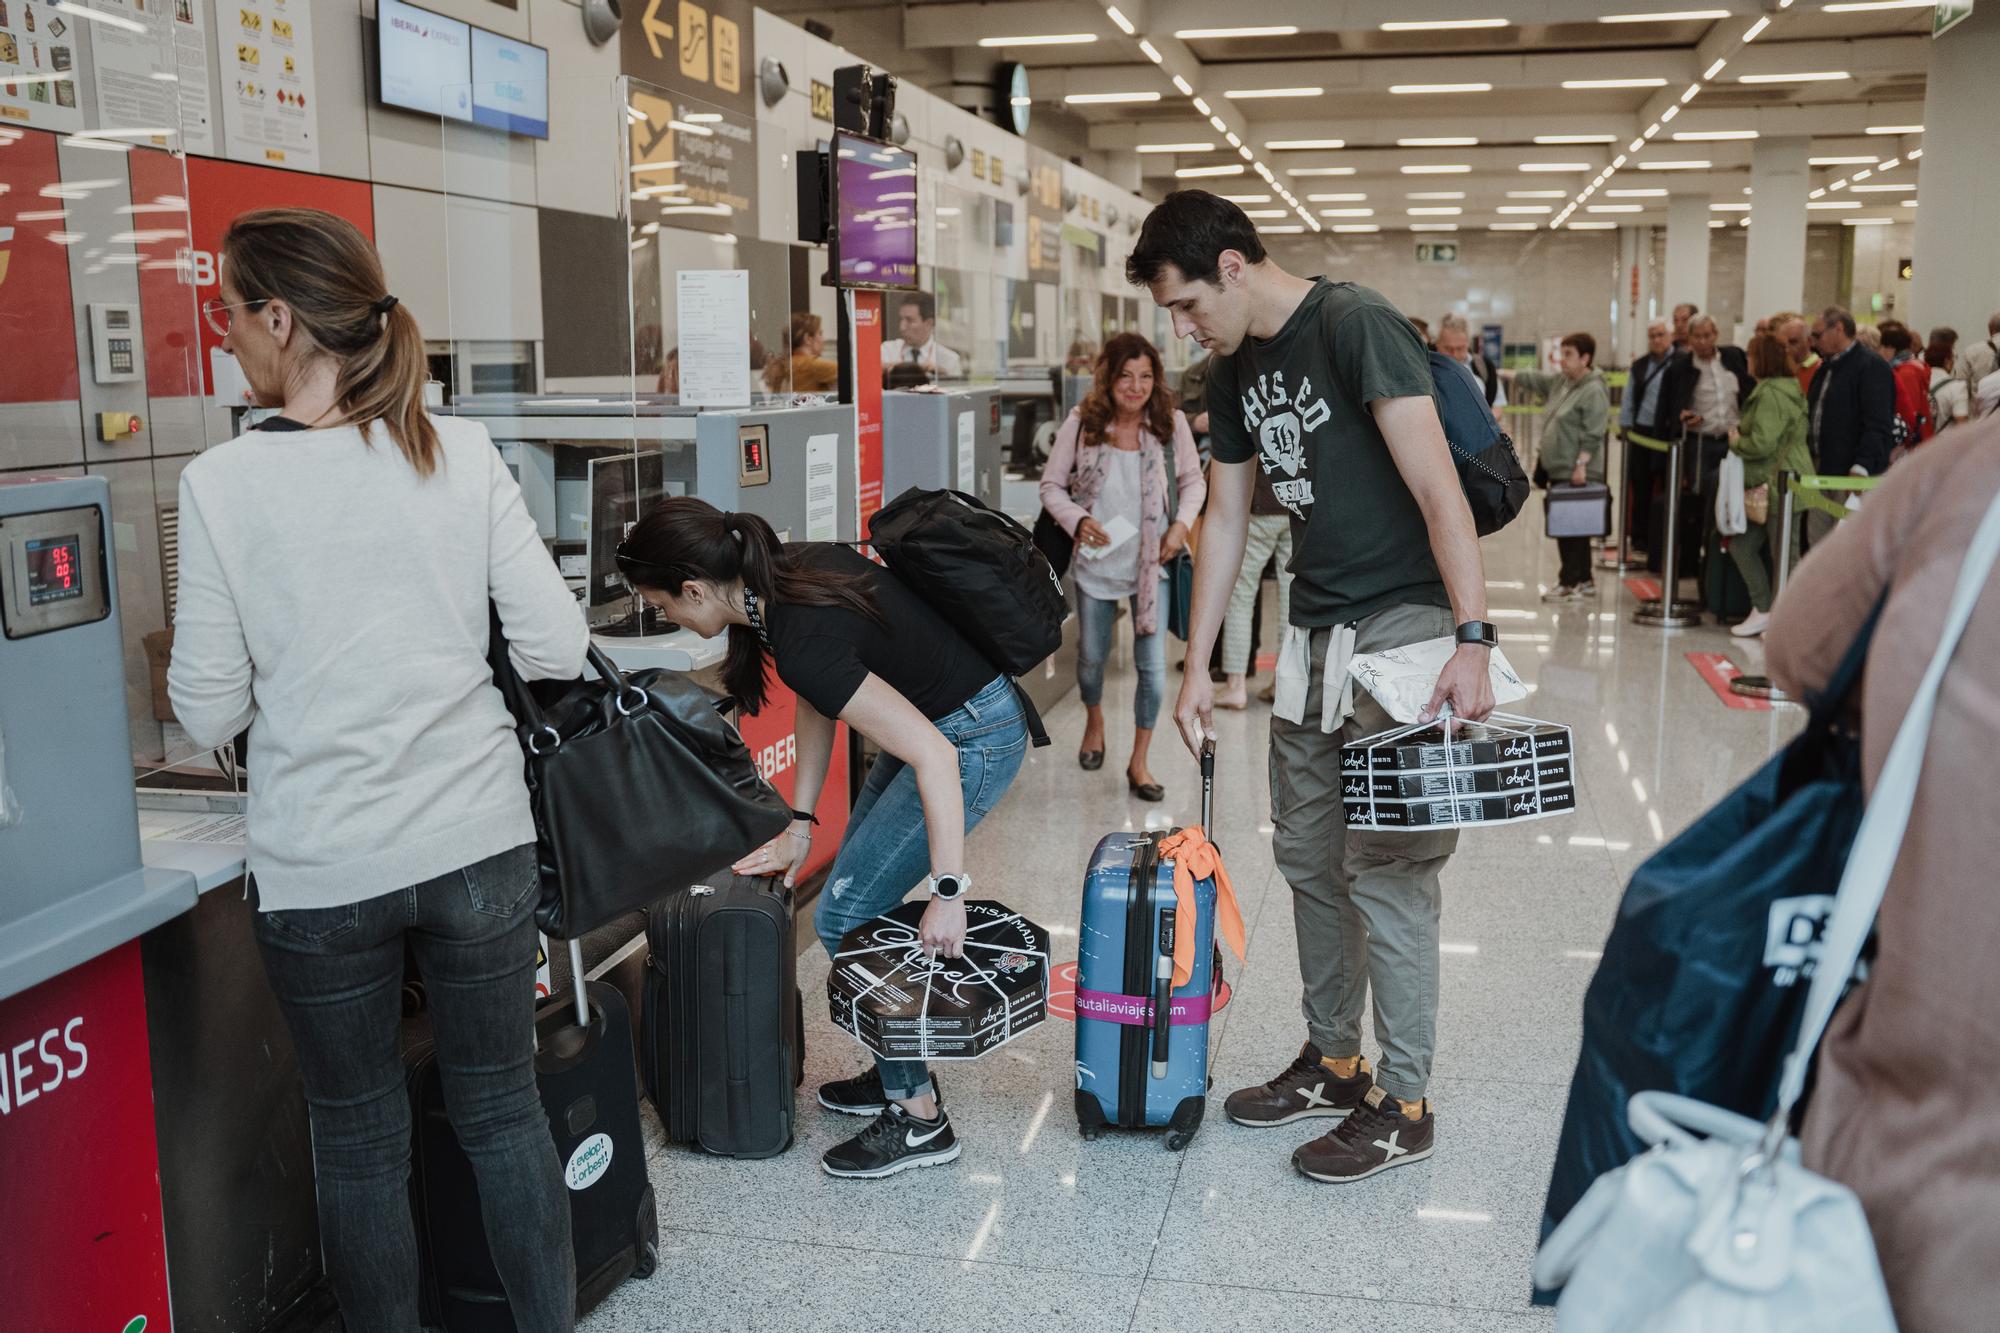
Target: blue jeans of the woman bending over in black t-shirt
887, 850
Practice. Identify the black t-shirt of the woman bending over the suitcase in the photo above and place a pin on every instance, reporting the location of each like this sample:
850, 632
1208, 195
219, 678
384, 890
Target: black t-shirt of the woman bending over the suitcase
825, 653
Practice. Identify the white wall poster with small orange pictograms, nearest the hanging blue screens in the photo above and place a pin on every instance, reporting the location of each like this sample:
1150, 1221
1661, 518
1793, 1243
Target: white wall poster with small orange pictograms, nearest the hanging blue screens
271, 105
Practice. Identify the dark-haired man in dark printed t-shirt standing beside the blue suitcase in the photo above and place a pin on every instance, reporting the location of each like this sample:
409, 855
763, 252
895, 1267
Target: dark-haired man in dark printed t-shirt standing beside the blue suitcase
1325, 389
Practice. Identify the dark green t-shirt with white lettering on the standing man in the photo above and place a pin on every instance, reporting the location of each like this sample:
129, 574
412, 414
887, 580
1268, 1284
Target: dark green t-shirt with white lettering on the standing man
1299, 405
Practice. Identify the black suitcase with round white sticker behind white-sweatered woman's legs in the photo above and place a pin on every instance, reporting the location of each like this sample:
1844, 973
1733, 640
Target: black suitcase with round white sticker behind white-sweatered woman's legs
591, 1094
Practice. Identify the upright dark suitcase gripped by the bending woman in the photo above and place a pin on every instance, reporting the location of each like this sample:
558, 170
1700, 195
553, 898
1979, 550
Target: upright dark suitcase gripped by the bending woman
725, 1052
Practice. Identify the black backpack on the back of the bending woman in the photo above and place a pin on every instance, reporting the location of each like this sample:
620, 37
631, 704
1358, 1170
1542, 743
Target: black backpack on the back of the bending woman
981, 571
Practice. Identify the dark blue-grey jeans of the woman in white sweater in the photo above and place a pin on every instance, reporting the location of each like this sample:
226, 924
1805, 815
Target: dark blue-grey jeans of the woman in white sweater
339, 980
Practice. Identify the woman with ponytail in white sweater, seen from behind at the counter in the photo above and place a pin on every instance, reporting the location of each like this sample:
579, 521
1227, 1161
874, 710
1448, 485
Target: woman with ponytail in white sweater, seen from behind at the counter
335, 577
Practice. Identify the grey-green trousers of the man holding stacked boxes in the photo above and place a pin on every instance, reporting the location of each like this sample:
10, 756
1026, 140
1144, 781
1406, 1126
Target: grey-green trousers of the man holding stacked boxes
1365, 902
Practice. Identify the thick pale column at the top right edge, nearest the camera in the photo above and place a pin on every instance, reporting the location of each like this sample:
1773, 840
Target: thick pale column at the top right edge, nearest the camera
1957, 277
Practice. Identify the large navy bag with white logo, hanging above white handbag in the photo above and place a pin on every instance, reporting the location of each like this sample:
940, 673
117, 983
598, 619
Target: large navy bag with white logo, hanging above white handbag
1705, 974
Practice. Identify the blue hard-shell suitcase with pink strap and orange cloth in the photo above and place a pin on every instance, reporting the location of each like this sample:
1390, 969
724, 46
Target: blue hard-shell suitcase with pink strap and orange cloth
1135, 1070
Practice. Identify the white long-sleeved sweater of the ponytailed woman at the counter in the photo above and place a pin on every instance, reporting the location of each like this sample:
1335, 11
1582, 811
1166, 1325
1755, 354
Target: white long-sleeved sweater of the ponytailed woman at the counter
335, 603
